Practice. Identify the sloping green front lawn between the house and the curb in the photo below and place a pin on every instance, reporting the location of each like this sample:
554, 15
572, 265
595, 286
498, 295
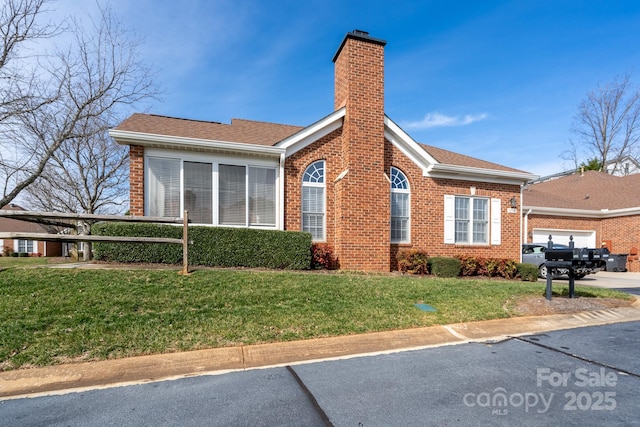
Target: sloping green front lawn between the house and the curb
50, 316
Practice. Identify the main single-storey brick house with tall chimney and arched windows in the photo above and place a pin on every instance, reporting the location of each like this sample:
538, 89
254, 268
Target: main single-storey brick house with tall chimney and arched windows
353, 179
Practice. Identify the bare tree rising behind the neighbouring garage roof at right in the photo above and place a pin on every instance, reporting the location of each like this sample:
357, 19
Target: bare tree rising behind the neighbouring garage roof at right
607, 124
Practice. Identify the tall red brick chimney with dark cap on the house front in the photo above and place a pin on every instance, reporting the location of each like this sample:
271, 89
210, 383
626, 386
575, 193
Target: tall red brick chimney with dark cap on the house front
363, 214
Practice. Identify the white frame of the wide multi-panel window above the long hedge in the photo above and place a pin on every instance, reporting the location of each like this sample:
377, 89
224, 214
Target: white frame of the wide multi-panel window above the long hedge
215, 160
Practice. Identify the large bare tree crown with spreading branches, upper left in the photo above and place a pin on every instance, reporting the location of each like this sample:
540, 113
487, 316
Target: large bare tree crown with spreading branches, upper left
70, 95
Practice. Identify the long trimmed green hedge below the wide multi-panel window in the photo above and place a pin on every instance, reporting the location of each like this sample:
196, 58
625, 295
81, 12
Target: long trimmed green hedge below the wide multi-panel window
212, 246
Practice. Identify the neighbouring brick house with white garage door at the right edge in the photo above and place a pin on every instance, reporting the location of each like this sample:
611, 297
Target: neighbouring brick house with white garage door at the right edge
594, 207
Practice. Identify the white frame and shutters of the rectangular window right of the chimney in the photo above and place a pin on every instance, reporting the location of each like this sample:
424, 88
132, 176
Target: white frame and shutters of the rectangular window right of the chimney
493, 221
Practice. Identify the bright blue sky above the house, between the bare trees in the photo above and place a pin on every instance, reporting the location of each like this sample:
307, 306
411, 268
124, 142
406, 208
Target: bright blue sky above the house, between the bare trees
497, 80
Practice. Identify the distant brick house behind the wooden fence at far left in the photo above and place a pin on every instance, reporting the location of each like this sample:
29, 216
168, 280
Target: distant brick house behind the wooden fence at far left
32, 247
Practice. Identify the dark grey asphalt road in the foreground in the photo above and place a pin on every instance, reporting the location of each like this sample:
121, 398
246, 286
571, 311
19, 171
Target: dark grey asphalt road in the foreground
583, 377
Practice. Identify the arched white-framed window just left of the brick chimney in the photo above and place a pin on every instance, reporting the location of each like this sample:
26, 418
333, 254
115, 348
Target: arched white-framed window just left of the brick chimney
313, 200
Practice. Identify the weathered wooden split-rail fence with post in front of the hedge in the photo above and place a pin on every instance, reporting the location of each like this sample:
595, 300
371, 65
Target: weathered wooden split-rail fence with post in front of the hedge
57, 218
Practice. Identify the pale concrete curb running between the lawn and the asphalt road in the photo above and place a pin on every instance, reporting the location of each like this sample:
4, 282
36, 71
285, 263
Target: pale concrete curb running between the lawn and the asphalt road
112, 373
